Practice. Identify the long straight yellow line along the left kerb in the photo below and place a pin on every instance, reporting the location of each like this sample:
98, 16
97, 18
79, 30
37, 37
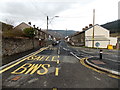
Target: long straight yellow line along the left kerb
5, 69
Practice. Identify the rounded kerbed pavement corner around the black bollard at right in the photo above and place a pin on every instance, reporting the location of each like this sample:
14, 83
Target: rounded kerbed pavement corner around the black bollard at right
104, 65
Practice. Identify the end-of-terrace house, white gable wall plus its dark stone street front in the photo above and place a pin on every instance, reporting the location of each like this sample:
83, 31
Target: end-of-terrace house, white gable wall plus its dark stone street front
101, 37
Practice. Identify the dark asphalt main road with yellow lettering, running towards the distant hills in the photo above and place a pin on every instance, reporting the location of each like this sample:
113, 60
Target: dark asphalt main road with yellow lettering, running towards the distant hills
53, 68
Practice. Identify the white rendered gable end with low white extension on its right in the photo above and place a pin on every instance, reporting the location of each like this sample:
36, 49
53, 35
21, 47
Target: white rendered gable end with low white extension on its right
101, 37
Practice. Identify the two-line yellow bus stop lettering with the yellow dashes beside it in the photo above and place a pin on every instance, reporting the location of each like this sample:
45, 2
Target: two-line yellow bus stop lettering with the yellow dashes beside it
40, 69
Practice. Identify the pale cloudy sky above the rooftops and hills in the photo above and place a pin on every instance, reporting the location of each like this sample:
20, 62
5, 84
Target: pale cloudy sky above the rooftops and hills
73, 14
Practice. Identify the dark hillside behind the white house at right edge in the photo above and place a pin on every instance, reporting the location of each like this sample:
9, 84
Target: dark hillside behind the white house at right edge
113, 26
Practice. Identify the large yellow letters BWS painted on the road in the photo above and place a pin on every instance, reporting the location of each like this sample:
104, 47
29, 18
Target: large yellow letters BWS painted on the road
29, 68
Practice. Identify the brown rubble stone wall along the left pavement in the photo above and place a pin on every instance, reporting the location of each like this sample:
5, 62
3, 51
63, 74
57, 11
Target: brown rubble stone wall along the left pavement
11, 46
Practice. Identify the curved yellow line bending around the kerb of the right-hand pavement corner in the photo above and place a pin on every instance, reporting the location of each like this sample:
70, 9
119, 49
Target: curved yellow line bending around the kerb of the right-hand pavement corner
82, 62
